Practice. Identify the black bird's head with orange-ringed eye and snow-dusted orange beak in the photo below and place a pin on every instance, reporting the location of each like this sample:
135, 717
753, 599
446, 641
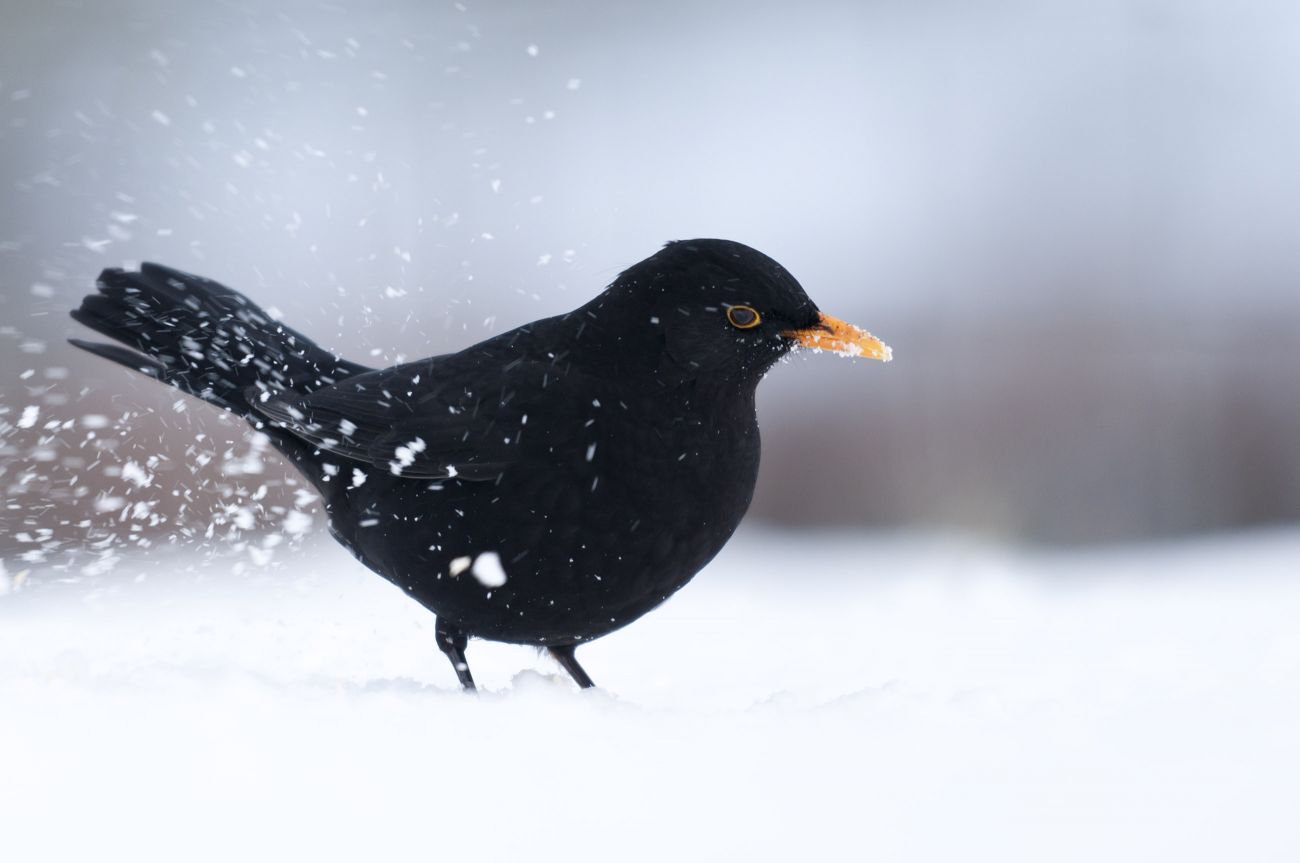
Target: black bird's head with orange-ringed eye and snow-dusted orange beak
720, 307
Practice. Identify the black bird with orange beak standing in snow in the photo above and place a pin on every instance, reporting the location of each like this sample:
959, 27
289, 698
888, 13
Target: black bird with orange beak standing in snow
545, 487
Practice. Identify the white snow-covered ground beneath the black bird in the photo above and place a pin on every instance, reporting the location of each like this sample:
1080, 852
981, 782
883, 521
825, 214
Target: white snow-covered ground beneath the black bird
807, 699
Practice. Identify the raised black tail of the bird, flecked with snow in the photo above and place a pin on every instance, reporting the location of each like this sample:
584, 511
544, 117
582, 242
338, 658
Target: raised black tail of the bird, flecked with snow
202, 339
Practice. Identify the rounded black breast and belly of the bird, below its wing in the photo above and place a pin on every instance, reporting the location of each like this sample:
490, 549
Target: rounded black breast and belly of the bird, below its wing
596, 523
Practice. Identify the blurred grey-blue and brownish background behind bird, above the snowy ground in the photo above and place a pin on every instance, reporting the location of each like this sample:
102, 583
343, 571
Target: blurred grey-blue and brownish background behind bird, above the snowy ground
1077, 223
